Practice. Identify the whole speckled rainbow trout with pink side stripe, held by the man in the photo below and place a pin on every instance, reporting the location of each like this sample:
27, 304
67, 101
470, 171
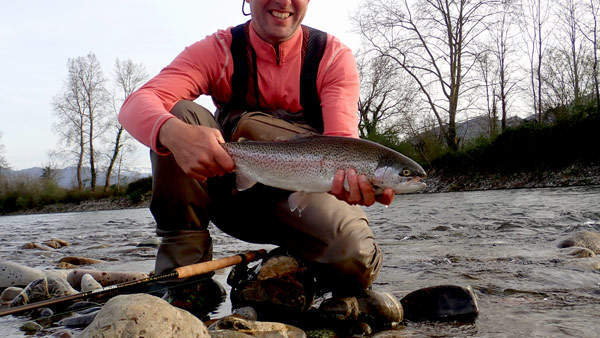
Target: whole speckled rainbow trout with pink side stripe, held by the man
308, 165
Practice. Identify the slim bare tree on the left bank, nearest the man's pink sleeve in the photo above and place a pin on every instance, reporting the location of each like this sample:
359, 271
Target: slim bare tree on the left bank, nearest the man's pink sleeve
128, 77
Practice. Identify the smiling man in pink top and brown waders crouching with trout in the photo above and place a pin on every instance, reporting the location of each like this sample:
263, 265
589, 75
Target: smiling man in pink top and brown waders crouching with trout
192, 184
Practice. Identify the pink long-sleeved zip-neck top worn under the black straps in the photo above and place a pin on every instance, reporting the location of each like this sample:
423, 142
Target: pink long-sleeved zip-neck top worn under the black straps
206, 68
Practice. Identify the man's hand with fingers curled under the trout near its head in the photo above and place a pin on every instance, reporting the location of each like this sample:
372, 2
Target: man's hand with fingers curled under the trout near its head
361, 191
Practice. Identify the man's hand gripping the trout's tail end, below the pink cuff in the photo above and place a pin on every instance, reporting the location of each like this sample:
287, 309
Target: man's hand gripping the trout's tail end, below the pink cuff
197, 149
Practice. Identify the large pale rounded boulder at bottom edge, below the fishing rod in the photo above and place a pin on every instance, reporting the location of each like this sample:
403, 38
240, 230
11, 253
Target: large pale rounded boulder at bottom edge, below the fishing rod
142, 315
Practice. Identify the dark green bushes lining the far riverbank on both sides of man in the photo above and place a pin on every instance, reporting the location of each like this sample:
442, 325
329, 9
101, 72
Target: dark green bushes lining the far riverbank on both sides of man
559, 153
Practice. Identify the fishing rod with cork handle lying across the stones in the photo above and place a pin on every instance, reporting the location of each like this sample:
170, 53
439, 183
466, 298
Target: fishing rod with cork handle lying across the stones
178, 273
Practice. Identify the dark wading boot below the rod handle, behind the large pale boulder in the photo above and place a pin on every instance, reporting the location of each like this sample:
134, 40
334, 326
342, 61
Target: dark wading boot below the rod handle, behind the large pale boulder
199, 296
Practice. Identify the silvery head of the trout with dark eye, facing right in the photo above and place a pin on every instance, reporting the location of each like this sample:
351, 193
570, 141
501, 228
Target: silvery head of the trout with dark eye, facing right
400, 173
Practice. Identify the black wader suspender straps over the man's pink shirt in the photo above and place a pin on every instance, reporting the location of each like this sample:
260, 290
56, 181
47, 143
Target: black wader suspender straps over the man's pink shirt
245, 95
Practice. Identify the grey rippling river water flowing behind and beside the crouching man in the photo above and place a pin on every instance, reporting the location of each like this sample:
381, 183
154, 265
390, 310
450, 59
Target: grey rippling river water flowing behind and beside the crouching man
503, 243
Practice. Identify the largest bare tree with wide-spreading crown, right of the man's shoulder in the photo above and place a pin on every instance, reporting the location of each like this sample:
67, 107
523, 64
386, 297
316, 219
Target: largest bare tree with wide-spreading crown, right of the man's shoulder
433, 41
